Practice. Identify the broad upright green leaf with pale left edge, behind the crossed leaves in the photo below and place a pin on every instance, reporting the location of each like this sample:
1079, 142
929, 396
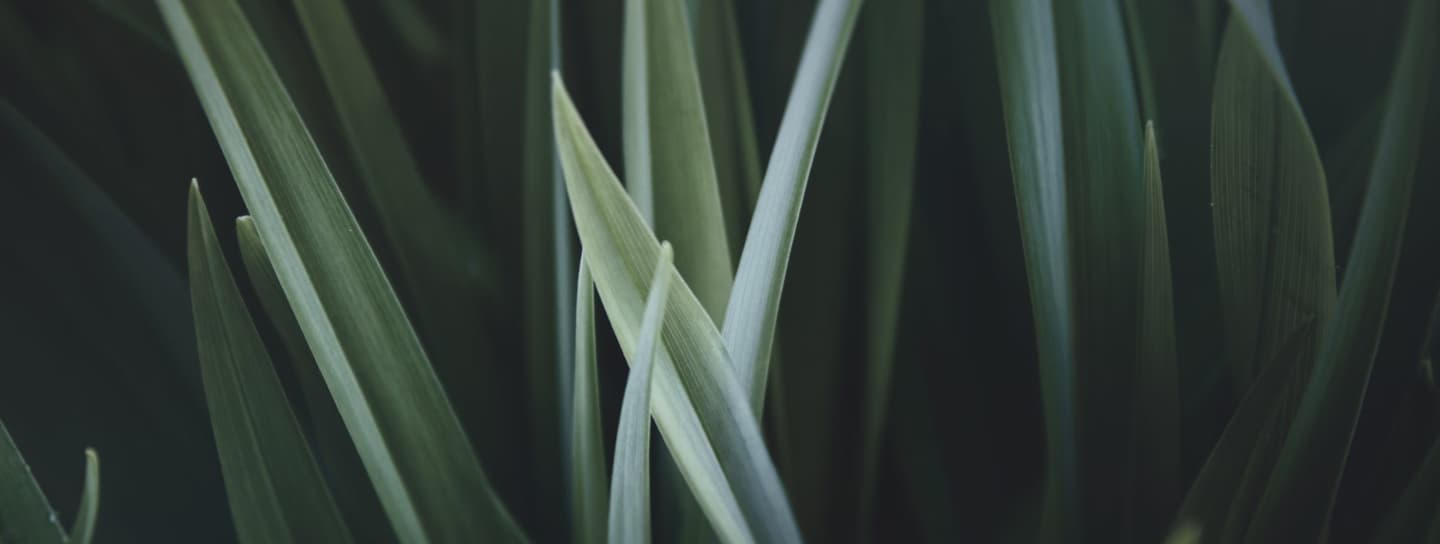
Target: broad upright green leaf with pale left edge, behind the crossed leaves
669, 165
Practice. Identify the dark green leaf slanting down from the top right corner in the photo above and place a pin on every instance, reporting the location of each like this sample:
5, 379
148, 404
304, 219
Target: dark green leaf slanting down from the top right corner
1301, 493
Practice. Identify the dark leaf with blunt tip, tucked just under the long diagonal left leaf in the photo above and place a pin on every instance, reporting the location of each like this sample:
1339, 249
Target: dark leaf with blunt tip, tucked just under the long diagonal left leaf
333, 448
